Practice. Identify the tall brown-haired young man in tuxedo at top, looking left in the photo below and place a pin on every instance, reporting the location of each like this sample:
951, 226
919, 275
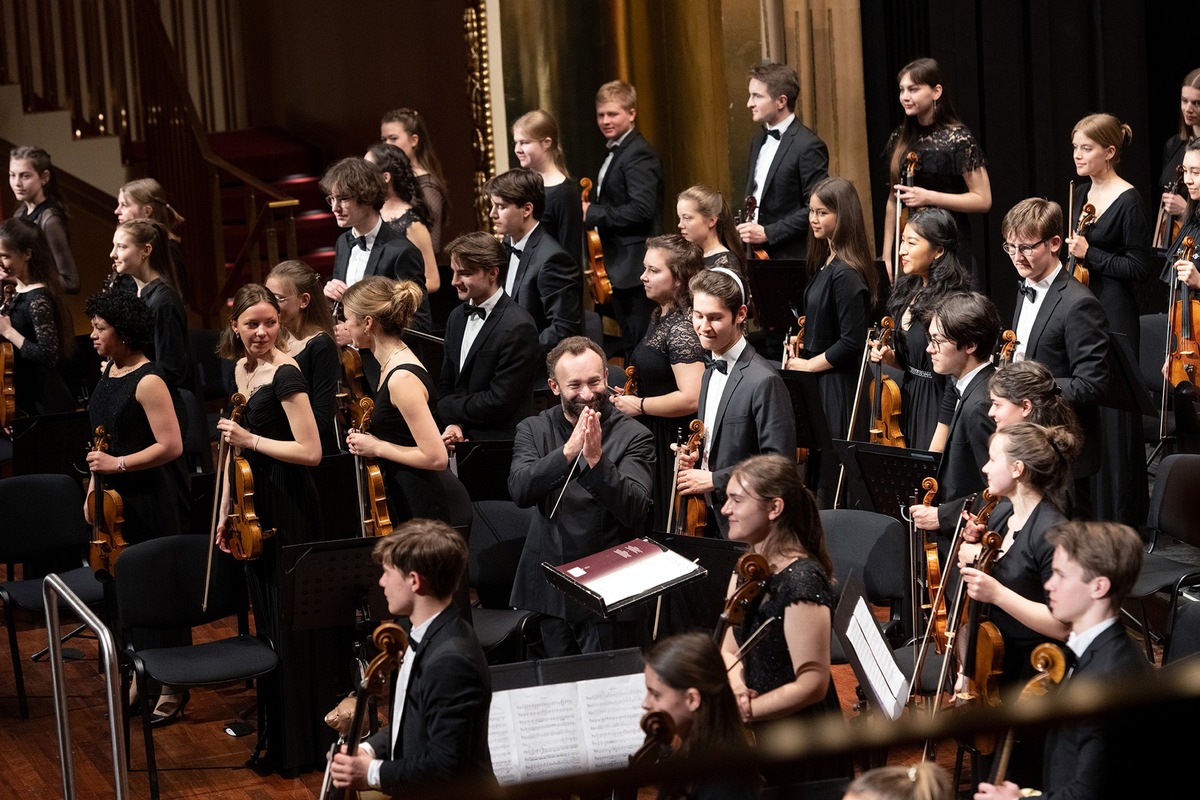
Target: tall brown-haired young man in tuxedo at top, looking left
787, 161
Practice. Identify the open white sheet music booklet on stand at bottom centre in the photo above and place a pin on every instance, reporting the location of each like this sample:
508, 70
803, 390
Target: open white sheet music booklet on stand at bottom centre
566, 729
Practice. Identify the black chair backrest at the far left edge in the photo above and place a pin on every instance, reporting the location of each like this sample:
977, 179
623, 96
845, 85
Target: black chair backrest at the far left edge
43, 518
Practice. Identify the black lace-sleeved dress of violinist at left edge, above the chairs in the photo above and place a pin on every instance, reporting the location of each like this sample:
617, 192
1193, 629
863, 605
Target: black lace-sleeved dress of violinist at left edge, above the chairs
38, 387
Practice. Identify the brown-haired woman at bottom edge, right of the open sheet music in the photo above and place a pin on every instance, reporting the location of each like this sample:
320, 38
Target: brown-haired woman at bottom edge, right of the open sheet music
686, 678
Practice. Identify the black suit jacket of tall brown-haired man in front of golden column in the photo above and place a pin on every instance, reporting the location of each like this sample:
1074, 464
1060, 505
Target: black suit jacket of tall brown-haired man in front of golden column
801, 164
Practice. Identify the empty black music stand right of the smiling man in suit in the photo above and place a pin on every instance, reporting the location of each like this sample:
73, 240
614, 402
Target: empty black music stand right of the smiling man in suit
889, 477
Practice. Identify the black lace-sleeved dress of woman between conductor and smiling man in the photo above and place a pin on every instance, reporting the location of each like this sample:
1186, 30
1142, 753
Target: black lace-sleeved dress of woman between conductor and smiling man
670, 340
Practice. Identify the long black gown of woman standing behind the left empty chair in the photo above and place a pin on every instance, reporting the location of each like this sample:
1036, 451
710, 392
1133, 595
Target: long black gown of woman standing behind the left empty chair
286, 502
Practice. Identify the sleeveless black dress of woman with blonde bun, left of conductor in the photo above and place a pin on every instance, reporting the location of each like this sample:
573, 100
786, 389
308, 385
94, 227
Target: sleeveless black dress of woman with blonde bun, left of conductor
412, 492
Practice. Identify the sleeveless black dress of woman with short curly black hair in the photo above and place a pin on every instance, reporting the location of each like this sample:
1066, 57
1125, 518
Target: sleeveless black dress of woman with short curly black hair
157, 500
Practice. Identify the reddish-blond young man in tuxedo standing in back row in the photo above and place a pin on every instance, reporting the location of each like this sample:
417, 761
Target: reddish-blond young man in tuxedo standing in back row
626, 207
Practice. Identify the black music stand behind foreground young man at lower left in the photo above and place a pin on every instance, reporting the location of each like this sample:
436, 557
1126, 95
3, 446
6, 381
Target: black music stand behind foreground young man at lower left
326, 585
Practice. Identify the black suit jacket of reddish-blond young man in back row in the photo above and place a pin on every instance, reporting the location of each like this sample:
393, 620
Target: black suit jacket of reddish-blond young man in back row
626, 210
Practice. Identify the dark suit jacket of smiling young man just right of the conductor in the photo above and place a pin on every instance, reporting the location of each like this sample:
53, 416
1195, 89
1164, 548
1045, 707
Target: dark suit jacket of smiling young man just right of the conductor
755, 417
